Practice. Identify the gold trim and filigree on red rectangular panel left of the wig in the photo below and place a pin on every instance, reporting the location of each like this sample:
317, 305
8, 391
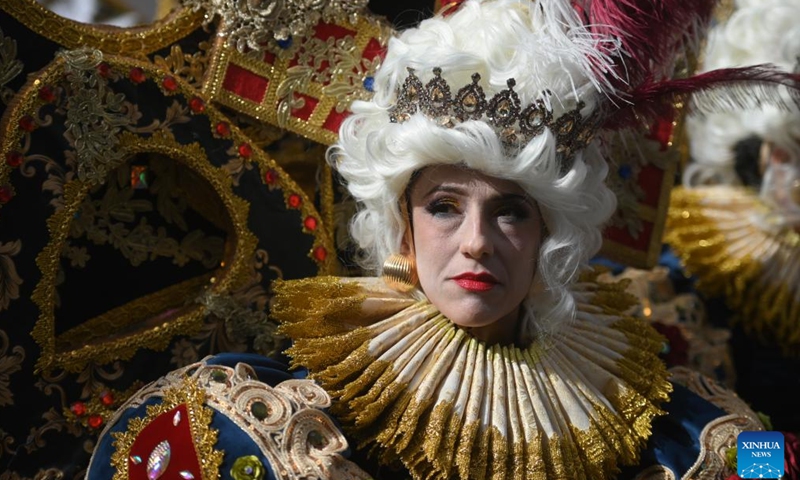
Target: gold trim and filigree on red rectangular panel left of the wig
297, 72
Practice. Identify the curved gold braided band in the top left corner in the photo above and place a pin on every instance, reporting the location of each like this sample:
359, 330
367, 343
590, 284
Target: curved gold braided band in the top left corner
134, 42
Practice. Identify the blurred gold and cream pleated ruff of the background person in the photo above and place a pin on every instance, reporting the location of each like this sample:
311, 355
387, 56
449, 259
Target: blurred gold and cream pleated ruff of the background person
714, 233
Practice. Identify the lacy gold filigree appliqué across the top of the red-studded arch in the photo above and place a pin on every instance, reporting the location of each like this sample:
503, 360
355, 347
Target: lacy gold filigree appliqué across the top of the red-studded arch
95, 115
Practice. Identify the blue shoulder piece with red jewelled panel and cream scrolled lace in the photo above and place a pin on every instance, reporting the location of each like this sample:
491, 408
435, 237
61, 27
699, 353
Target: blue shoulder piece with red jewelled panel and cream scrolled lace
230, 417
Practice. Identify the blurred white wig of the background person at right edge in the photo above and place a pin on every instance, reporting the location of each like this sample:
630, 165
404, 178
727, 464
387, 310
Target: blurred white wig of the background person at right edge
757, 32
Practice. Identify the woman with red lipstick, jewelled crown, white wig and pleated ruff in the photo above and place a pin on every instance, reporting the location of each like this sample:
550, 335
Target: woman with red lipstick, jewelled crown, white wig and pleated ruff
485, 348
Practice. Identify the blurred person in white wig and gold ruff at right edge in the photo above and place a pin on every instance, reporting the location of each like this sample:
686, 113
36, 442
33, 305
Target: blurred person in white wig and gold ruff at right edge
734, 224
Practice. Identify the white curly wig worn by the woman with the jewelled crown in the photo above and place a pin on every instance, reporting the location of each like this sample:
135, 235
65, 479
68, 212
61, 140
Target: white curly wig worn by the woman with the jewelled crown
543, 46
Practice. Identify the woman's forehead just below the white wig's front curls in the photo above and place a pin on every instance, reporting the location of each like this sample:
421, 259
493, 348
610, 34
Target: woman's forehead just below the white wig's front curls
435, 176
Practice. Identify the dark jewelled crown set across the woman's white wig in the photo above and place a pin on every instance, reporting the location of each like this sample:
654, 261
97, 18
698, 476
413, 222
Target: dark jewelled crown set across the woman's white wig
515, 125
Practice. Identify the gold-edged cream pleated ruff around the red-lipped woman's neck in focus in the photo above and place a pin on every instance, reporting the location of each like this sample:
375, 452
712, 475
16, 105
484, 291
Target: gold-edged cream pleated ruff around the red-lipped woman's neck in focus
576, 404
